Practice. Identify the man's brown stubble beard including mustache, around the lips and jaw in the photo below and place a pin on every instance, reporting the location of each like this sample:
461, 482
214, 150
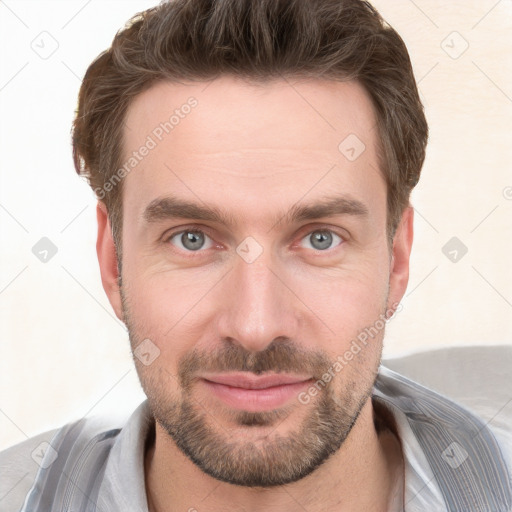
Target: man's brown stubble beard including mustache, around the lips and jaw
274, 459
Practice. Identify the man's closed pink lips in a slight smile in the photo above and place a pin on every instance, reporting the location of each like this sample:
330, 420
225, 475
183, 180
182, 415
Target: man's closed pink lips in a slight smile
254, 393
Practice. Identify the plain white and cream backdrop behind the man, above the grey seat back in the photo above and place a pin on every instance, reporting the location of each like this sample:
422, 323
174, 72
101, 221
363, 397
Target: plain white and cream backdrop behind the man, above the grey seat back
64, 355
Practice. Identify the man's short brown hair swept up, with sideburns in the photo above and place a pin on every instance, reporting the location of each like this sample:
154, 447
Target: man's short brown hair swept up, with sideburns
258, 40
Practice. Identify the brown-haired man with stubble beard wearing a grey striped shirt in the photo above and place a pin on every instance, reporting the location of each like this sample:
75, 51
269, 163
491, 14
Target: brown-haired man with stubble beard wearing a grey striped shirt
253, 163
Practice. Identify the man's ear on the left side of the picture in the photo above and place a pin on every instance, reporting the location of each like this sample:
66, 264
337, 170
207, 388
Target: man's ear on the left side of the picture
106, 250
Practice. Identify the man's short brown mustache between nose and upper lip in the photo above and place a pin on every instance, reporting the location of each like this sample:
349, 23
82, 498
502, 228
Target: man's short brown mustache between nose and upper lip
280, 356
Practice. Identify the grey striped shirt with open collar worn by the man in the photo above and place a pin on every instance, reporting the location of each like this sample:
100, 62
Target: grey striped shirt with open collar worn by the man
453, 461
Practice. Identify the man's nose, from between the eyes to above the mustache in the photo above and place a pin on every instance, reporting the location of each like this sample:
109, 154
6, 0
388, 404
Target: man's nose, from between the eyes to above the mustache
258, 304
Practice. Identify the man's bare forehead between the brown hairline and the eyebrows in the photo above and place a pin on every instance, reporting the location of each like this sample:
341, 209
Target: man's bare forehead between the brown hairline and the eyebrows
233, 142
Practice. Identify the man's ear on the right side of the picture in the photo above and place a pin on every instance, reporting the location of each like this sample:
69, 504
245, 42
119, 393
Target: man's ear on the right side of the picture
399, 264
